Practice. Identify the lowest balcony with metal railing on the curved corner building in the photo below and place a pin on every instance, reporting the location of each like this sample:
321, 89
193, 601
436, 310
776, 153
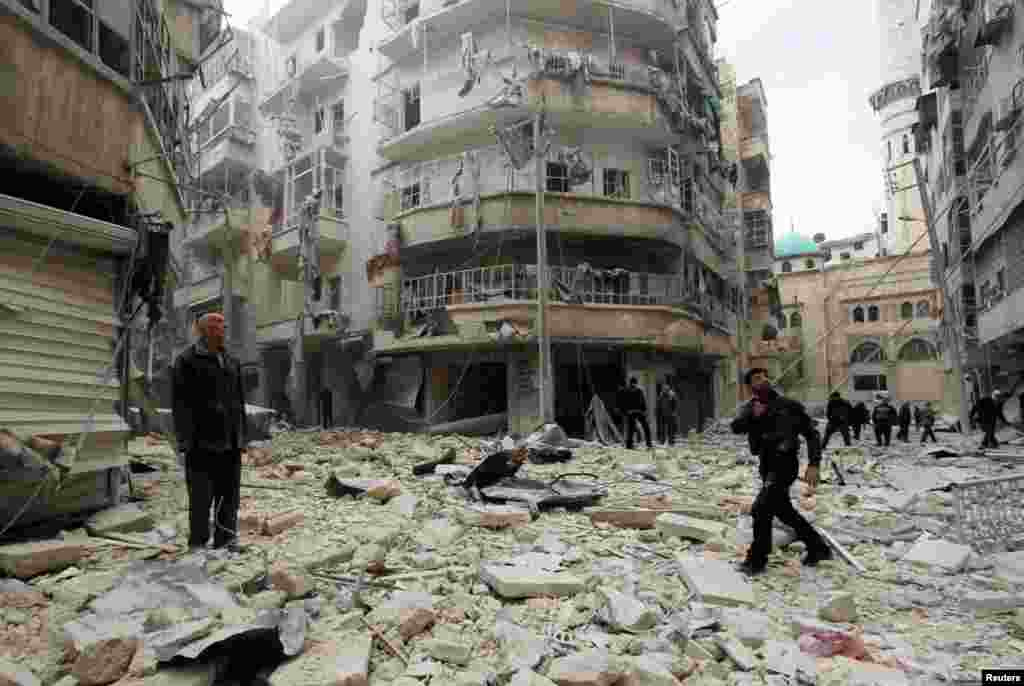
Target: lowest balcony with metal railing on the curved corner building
497, 287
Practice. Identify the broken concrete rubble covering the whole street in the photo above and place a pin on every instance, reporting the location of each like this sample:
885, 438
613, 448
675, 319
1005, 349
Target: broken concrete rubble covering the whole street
376, 560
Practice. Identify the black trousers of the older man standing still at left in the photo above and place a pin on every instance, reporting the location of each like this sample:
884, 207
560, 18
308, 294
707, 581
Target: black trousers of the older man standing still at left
215, 480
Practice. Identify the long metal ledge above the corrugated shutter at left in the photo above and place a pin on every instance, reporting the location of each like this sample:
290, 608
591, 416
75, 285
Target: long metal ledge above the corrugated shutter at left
51, 223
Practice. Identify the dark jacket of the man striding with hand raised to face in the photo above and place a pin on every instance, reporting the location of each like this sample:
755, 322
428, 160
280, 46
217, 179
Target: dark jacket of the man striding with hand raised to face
776, 436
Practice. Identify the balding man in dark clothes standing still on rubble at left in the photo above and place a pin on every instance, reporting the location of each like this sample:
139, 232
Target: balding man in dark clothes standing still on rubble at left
210, 425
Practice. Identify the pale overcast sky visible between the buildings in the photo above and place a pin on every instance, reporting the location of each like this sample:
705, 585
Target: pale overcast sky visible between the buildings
819, 62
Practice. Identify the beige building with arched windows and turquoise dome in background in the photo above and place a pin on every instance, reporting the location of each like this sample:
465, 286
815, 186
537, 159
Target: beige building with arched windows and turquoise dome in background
859, 326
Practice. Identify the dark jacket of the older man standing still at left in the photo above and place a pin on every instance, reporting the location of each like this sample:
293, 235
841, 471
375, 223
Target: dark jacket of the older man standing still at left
208, 403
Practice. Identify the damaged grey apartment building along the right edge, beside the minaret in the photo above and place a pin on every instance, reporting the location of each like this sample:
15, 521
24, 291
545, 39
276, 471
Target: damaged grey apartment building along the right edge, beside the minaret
969, 134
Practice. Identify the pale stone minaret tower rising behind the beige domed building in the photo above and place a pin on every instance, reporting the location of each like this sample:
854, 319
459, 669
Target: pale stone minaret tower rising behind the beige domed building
895, 104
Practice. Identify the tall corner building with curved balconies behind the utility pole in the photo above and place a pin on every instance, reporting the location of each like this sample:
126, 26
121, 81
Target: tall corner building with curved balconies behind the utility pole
633, 182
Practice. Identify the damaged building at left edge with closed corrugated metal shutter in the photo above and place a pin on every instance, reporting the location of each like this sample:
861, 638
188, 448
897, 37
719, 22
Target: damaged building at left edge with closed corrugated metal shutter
96, 158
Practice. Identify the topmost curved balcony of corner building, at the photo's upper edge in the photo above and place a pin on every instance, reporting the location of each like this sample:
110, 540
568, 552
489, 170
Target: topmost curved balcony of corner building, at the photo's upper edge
442, 21
